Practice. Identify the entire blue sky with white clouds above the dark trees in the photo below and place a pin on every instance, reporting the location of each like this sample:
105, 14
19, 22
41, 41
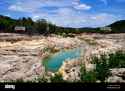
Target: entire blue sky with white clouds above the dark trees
68, 13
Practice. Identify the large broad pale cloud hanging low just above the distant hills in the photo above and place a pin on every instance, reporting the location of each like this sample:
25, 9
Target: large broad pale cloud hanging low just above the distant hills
69, 18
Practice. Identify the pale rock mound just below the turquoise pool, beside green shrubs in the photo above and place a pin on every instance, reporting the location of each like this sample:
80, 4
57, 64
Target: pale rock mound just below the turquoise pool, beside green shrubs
70, 70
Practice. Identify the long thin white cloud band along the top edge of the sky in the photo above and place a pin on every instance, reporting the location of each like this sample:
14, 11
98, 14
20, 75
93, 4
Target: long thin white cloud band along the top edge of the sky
37, 5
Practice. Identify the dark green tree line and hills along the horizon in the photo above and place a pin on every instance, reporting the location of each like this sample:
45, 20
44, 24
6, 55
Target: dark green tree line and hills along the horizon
42, 26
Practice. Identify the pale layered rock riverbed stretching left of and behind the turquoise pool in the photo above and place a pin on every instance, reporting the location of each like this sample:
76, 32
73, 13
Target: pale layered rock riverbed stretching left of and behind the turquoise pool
21, 55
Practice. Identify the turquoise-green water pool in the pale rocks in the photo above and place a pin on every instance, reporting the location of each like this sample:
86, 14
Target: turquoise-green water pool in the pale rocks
54, 62
